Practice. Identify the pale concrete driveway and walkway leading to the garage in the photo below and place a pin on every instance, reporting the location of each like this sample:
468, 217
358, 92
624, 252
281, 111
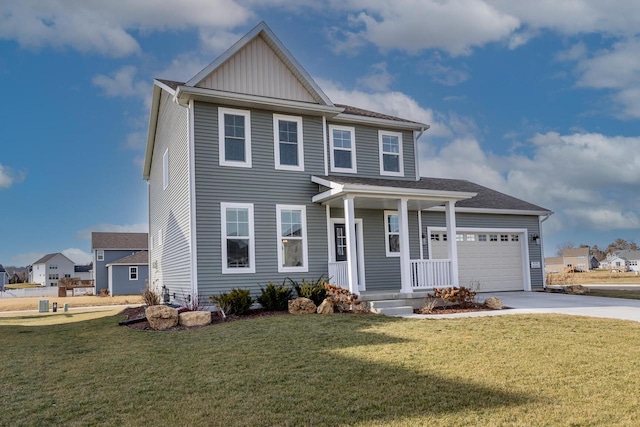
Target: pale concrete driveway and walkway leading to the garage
551, 303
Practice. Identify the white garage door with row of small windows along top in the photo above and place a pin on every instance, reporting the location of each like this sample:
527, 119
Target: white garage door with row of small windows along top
487, 261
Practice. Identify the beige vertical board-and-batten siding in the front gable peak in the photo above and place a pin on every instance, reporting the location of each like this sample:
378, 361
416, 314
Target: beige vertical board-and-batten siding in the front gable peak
257, 70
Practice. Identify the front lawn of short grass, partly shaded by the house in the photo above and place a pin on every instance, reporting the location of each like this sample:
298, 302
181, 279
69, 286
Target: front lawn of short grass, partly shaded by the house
324, 370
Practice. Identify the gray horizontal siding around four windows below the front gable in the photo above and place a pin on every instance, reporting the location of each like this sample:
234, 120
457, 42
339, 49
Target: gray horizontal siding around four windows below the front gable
265, 187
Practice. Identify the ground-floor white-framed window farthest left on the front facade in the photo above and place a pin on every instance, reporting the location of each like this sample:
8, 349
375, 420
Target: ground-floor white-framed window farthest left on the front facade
238, 246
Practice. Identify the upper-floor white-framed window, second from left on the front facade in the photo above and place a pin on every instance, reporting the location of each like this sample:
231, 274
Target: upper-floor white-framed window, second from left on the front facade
287, 139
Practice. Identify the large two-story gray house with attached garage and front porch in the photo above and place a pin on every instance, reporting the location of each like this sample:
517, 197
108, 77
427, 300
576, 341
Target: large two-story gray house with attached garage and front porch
255, 175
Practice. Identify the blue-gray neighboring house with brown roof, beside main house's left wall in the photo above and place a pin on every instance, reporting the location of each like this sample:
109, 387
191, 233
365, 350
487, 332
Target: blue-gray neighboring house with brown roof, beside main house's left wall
109, 251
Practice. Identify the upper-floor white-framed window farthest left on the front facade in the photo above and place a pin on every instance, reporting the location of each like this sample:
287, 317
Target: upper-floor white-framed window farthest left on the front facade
234, 135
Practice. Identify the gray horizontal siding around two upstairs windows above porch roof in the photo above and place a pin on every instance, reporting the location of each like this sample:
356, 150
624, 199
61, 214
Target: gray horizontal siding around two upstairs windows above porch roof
368, 153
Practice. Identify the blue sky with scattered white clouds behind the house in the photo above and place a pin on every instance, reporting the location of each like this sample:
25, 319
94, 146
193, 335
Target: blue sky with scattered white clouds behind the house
536, 99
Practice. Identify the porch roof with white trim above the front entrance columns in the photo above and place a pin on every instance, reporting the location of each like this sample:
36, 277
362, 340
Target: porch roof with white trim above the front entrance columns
374, 193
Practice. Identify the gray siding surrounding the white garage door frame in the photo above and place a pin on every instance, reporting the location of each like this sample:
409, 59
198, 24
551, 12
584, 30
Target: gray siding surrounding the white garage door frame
477, 220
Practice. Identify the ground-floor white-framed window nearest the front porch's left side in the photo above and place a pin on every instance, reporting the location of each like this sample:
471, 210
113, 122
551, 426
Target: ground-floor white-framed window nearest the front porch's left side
292, 238
